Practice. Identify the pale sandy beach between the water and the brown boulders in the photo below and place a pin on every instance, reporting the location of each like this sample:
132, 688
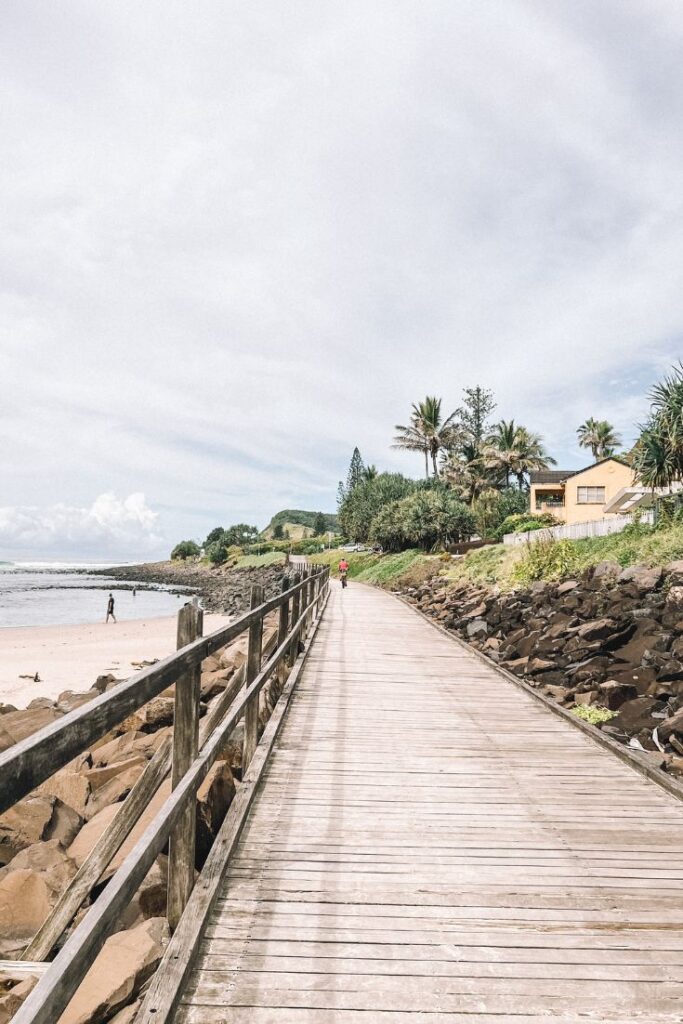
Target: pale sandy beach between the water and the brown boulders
71, 658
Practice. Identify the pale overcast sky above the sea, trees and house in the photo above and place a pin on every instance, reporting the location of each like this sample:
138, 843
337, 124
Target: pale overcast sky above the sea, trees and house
239, 239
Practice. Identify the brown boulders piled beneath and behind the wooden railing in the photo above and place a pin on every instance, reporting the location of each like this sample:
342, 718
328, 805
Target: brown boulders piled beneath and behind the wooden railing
48, 836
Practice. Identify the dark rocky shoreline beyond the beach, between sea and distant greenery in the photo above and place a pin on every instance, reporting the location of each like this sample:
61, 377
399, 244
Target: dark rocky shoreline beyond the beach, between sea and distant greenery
222, 589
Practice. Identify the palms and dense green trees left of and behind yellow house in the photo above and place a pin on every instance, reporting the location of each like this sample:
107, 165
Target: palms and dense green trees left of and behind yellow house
477, 478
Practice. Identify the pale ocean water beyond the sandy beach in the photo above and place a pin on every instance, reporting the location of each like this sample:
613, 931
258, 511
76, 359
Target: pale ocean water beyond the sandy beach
42, 594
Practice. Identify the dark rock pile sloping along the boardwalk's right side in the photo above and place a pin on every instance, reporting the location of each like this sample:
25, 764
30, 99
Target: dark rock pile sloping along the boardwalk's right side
612, 638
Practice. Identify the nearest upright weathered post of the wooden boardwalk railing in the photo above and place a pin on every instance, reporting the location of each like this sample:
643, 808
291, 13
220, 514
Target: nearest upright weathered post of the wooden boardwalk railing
186, 749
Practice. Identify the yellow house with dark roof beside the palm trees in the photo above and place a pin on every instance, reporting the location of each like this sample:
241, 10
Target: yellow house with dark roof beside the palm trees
580, 495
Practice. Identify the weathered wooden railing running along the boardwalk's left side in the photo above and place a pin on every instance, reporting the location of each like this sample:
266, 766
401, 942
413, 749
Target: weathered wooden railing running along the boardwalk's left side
189, 757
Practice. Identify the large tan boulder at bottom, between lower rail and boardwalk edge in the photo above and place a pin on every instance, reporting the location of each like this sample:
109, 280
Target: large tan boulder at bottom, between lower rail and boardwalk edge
124, 964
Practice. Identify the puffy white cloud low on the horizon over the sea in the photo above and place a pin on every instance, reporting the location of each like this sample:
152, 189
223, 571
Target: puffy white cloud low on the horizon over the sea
123, 528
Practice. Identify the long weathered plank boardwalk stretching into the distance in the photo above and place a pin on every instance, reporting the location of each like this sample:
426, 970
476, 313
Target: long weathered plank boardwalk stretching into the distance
432, 845
